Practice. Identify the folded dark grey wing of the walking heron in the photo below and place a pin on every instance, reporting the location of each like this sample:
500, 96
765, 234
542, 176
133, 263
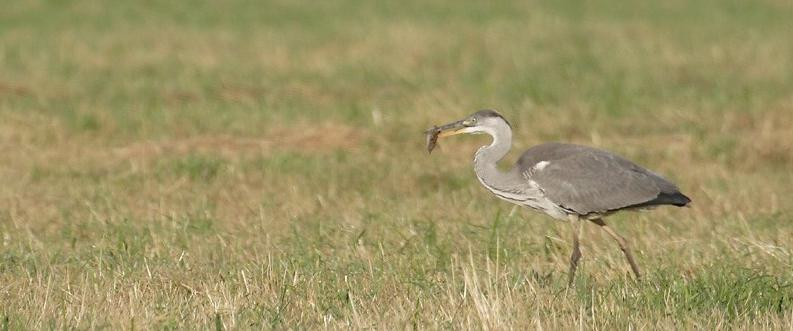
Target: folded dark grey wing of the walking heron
588, 180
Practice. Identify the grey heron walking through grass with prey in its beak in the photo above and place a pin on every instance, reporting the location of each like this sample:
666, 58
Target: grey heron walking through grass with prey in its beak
568, 182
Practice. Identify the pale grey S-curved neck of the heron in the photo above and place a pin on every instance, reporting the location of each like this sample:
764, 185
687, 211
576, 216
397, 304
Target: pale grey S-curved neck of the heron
487, 157
